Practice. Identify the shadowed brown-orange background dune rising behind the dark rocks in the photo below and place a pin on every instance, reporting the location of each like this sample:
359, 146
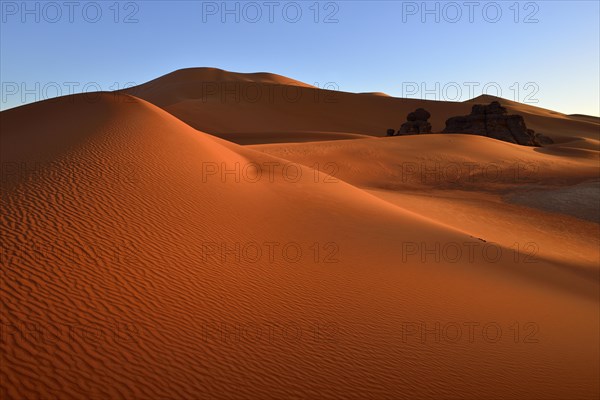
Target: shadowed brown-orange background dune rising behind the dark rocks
249, 108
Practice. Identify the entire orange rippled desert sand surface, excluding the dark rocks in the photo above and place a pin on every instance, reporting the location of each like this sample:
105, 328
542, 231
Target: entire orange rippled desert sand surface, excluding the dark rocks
165, 243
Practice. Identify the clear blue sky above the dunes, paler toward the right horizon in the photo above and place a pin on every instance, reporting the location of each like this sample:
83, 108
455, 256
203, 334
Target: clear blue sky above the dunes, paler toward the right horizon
545, 53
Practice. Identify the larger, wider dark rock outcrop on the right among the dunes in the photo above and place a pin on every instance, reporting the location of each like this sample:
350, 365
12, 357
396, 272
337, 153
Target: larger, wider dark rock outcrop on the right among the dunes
493, 121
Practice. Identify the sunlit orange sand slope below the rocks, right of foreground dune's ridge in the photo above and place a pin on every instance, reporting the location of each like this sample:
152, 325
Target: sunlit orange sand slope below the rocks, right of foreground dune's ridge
475, 183
